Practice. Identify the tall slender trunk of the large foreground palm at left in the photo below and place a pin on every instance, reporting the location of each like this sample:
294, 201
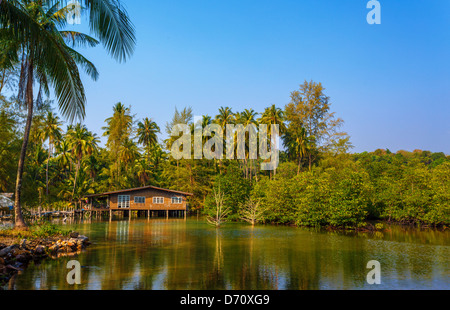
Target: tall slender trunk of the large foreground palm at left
19, 221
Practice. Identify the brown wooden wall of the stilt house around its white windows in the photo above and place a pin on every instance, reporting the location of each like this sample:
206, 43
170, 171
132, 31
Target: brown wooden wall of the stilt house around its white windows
149, 194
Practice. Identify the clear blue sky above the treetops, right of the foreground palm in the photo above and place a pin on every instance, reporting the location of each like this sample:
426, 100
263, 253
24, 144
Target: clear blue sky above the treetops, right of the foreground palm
389, 82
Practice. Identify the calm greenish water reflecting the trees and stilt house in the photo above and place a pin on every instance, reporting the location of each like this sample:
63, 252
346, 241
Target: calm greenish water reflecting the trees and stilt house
177, 254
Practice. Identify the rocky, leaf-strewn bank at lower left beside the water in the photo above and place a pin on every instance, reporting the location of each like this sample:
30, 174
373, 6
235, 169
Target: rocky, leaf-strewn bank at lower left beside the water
16, 255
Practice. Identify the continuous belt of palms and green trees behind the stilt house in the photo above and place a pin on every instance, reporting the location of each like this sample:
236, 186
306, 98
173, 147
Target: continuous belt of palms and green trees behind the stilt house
318, 182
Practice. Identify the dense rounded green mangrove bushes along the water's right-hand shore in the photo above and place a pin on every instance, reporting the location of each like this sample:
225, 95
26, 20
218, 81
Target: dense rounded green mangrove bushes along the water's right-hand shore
346, 191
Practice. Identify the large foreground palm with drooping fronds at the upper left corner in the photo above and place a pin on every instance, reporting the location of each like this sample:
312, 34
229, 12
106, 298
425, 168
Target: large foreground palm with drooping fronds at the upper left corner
32, 27
